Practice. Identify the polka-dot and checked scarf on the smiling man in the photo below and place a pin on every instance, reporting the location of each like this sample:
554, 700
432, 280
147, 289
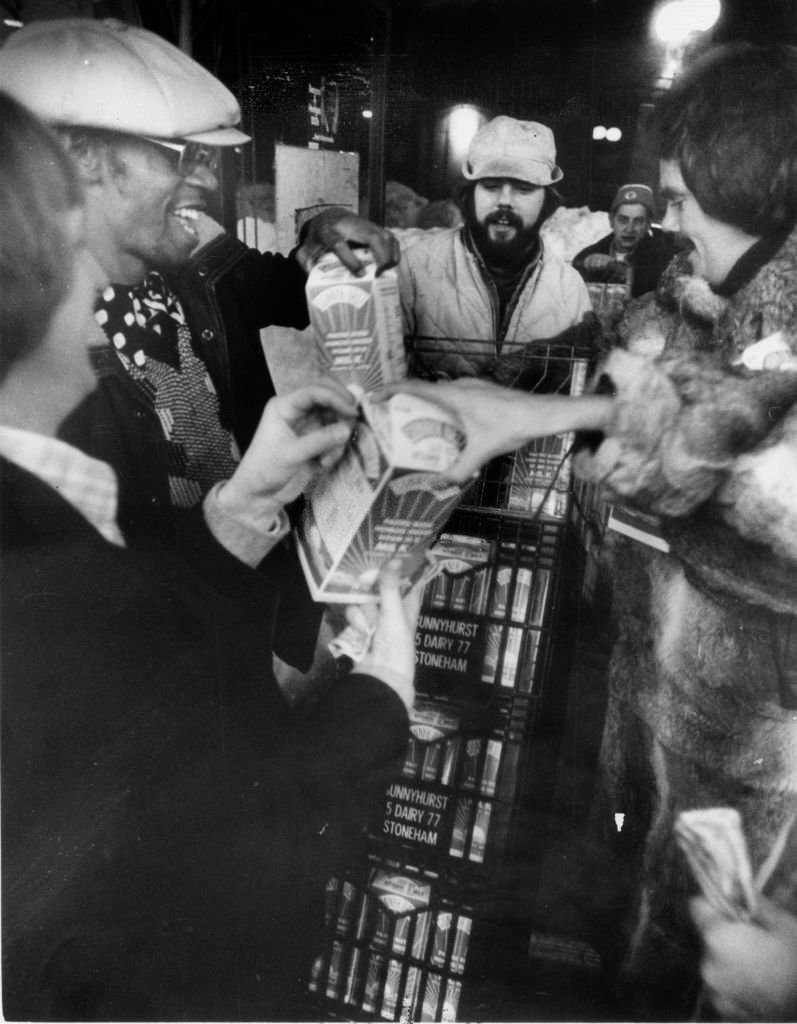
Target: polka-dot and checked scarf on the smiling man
147, 327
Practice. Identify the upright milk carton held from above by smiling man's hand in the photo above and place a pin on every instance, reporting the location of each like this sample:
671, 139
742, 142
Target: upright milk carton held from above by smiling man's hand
358, 323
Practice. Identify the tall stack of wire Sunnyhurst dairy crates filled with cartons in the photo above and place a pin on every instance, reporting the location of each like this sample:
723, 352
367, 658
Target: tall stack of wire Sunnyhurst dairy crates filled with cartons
403, 920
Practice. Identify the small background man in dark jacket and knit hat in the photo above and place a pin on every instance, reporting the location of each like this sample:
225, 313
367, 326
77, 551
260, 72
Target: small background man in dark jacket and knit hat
636, 251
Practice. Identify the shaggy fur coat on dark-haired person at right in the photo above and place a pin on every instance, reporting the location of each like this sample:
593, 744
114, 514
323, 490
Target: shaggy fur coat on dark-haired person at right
703, 680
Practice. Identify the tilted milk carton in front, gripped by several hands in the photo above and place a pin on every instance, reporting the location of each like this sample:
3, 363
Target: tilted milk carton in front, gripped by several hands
387, 498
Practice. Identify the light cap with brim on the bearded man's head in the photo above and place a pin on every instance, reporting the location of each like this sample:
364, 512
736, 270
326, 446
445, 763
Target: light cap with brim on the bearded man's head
510, 149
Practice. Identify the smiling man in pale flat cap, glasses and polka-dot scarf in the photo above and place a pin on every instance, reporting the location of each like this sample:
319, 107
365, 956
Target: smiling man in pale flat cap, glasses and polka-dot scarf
183, 379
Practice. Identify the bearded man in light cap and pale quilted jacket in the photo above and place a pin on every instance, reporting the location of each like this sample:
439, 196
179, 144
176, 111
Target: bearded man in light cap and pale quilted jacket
476, 294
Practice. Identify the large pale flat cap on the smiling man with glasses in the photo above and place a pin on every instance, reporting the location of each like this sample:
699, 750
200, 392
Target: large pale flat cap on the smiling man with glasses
105, 74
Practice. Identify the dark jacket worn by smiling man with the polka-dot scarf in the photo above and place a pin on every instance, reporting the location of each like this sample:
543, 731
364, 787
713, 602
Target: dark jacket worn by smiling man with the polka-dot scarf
229, 292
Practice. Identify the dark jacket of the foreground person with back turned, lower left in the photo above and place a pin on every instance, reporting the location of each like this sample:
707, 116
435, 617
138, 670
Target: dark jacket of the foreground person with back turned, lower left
169, 824
